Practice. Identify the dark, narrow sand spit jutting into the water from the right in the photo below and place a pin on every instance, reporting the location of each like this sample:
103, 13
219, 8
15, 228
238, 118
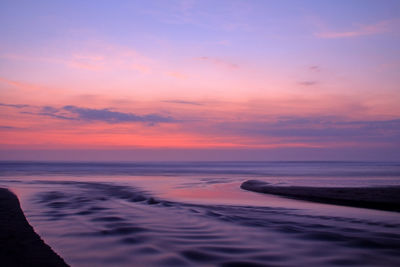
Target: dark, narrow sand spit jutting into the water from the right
382, 198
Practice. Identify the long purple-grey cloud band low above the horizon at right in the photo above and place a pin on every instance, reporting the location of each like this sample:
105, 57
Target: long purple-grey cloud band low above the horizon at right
316, 129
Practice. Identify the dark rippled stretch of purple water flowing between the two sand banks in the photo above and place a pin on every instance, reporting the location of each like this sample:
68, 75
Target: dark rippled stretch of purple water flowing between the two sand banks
122, 225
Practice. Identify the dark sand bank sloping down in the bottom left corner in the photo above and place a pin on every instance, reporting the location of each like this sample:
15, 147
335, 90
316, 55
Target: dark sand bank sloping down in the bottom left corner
19, 244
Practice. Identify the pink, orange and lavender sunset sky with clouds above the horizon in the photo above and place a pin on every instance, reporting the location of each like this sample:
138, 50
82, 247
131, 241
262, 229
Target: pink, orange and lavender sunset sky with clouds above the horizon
200, 80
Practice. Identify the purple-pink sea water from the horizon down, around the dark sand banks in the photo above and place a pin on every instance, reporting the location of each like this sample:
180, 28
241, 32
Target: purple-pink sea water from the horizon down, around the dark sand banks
195, 214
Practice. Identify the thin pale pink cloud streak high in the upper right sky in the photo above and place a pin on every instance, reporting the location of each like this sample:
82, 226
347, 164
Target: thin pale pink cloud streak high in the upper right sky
363, 30
